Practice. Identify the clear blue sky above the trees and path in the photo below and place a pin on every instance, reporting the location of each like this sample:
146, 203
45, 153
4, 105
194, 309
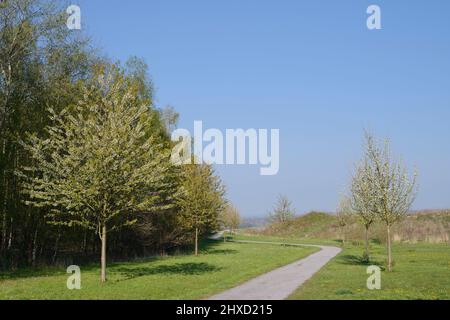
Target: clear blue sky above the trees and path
310, 68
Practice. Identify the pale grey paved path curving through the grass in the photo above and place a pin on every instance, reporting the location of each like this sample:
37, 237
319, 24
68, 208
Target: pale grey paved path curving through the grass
278, 284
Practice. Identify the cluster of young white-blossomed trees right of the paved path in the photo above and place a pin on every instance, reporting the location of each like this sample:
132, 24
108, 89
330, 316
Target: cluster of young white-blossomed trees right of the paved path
381, 190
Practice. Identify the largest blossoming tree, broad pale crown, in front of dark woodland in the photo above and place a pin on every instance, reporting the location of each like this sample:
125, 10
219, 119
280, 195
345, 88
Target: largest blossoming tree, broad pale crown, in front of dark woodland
98, 165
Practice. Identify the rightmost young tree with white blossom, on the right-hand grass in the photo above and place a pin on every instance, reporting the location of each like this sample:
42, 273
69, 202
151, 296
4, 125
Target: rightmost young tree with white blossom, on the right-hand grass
393, 188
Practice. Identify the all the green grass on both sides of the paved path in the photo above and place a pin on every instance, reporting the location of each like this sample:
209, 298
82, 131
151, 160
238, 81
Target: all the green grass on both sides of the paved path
421, 271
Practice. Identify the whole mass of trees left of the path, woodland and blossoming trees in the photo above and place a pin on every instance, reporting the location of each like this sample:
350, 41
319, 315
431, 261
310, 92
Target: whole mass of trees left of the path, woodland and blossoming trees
85, 152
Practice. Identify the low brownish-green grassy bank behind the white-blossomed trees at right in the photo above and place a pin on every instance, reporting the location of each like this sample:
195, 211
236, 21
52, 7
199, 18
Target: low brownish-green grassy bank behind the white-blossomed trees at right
427, 225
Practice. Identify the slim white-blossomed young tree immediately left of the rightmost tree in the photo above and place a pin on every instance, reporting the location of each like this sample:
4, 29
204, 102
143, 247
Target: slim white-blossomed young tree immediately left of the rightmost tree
362, 199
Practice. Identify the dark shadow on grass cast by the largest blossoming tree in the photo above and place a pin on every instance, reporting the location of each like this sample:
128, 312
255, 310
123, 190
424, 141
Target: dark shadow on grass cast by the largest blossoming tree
178, 268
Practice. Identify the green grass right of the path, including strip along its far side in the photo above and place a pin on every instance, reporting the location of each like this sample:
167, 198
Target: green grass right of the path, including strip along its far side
421, 271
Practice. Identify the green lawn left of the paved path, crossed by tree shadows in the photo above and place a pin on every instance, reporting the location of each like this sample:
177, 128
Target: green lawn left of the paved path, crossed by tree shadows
219, 267
